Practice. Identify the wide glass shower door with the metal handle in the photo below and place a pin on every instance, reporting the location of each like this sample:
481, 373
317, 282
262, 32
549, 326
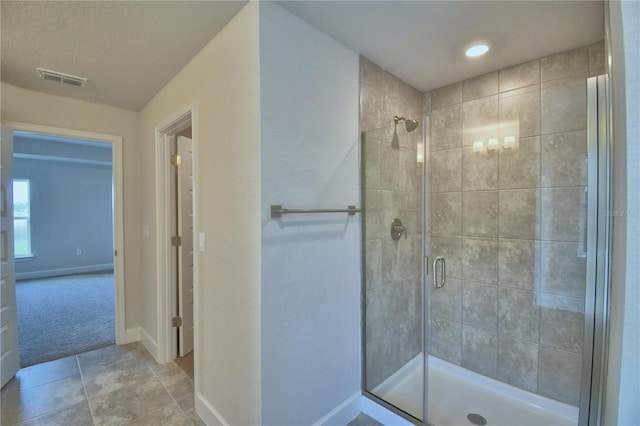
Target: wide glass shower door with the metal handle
507, 197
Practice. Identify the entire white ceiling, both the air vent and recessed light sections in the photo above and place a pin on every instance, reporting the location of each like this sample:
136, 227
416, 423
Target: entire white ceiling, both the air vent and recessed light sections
130, 49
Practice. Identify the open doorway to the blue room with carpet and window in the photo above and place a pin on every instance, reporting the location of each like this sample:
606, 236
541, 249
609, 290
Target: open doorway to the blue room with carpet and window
67, 214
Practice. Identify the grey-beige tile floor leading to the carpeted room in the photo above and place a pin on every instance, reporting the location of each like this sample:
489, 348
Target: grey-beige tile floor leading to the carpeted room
115, 385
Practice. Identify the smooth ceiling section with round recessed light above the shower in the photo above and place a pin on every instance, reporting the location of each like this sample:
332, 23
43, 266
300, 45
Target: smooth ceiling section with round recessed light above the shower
422, 41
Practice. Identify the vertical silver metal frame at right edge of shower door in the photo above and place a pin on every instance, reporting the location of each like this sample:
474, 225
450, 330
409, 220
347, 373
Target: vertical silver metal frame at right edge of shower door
594, 360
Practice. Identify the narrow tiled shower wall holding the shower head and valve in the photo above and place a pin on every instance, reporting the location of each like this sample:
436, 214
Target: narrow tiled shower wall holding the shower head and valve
393, 189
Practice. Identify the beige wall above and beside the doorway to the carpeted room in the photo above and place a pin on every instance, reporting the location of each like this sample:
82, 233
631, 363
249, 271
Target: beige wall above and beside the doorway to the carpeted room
27, 106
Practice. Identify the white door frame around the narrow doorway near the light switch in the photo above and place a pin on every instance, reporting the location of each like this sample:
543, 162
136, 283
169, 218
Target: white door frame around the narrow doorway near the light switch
166, 295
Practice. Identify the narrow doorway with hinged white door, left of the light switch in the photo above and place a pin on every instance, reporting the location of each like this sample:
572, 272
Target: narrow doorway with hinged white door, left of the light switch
176, 179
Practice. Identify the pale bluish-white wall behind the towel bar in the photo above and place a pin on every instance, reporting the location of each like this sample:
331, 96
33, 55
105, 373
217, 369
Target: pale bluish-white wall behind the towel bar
311, 336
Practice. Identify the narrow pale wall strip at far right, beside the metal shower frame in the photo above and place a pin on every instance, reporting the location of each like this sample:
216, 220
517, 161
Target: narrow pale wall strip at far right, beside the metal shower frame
623, 376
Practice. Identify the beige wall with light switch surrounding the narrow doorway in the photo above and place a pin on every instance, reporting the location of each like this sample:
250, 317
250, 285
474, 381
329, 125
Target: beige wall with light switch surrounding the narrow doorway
224, 81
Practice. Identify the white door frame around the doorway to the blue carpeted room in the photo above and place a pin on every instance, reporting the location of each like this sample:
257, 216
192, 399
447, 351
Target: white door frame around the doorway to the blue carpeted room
118, 206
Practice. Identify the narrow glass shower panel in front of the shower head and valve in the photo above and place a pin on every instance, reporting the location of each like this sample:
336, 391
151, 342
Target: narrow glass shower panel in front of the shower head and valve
392, 246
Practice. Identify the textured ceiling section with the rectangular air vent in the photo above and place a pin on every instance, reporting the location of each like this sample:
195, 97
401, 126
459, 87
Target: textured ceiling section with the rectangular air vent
127, 49
